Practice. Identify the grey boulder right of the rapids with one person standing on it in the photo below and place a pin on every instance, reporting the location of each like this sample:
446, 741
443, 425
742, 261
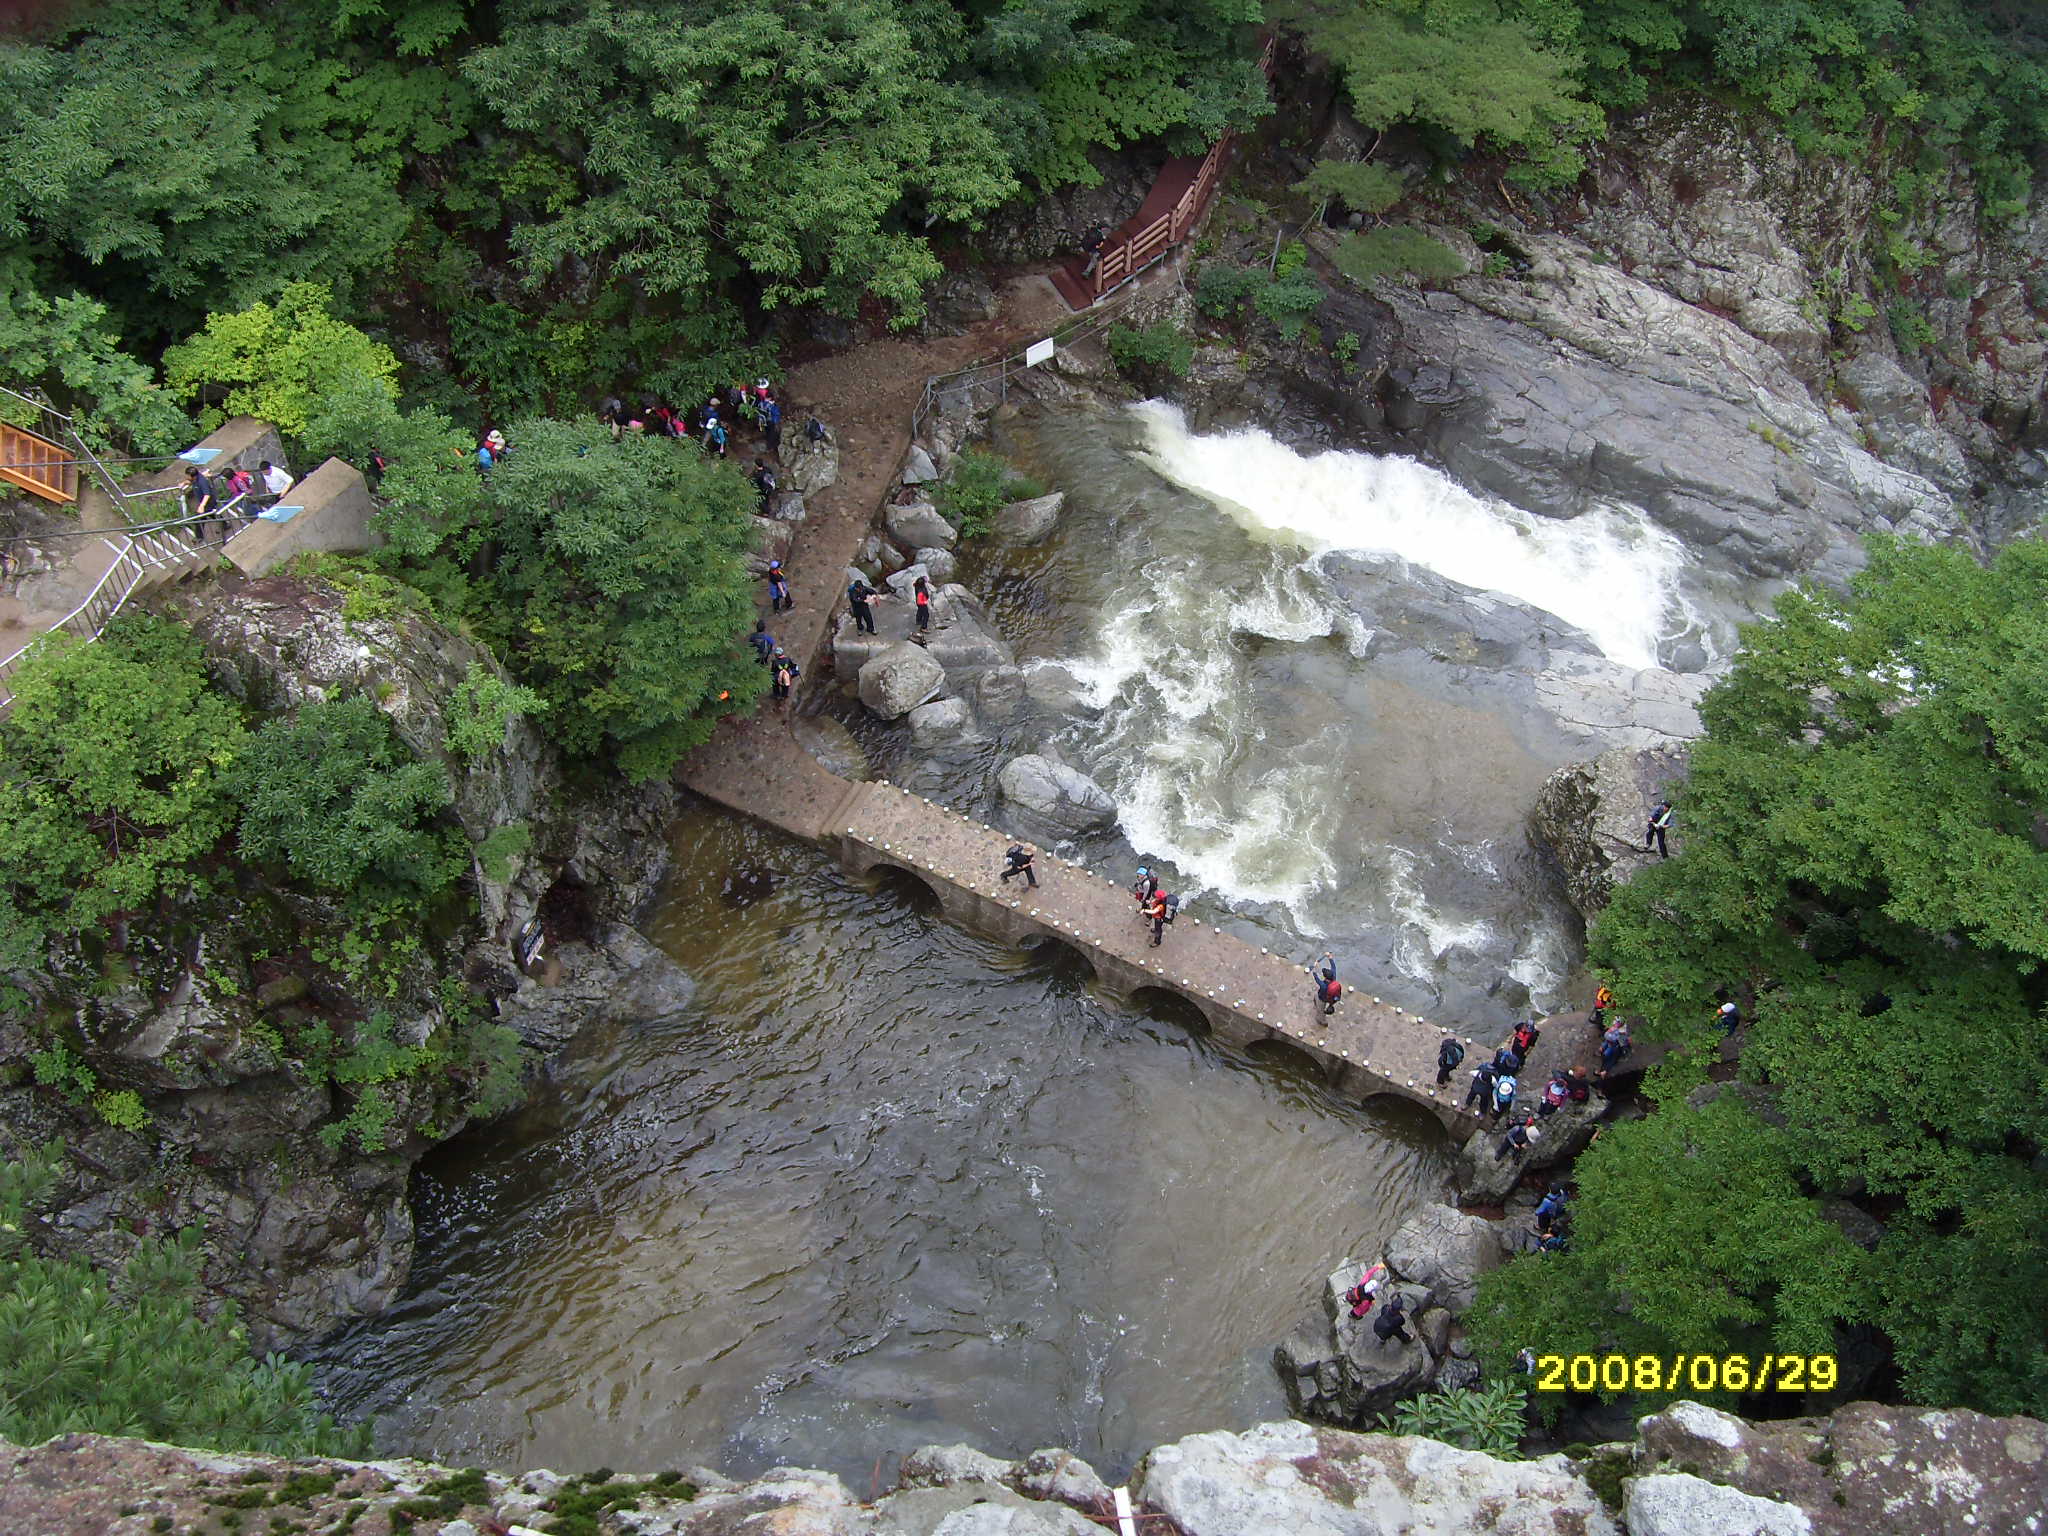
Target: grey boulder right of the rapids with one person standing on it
1590, 818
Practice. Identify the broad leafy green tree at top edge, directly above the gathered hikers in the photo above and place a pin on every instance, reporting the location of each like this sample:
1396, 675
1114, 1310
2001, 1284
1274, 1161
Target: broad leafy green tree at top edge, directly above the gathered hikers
785, 140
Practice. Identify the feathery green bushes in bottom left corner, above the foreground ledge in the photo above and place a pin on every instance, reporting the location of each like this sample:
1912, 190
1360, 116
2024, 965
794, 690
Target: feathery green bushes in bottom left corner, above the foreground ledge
130, 1355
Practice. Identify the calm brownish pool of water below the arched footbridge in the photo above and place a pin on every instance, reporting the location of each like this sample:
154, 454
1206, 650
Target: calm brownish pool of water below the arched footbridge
884, 1183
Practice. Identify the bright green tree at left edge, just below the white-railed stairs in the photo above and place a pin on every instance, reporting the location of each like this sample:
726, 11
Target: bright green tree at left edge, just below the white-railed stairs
114, 785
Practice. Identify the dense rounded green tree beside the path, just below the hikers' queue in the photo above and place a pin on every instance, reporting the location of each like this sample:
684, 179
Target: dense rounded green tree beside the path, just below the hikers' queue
622, 591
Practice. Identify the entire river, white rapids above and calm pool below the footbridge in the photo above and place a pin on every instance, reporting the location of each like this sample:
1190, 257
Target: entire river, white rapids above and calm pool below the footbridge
888, 1183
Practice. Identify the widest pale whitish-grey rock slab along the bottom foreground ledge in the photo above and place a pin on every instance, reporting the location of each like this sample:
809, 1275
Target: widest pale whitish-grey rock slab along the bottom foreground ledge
1312, 1482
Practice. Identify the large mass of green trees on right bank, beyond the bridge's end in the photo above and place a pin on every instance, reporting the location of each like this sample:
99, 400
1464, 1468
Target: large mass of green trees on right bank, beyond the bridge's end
1863, 857
